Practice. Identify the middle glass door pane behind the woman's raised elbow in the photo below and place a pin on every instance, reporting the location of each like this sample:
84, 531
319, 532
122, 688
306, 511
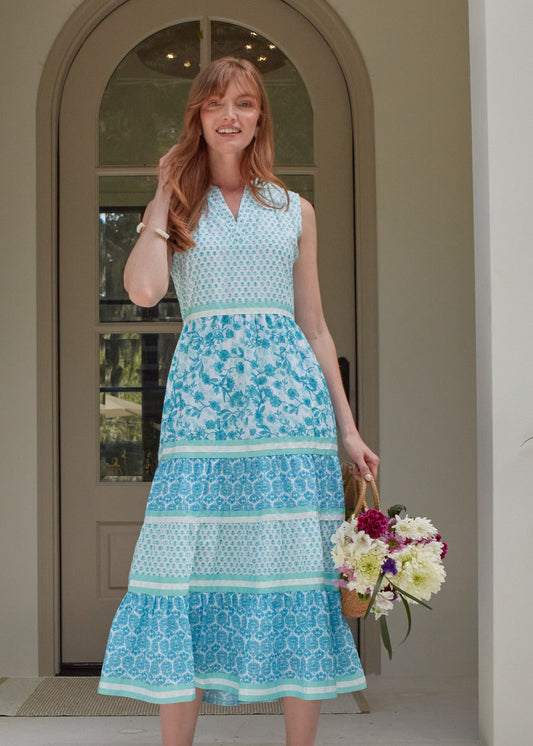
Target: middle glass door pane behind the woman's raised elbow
122, 203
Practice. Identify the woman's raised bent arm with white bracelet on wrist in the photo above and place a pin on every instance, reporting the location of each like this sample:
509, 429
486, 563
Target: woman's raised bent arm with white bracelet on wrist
147, 270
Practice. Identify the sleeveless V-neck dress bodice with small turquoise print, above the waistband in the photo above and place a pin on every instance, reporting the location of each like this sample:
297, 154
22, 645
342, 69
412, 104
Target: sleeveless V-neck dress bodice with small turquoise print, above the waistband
240, 264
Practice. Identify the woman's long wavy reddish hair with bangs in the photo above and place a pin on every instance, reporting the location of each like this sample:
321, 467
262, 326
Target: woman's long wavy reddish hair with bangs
189, 170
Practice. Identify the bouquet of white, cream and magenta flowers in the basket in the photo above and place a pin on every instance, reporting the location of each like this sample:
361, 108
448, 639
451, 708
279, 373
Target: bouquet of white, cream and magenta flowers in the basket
387, 559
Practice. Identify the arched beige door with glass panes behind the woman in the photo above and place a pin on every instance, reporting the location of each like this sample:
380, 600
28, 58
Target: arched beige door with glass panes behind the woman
121, 109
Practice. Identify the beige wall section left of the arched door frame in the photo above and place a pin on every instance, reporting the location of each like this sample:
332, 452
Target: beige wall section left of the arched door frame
28, 29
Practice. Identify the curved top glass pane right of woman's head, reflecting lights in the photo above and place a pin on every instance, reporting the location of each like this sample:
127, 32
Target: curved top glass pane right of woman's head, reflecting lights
289, 100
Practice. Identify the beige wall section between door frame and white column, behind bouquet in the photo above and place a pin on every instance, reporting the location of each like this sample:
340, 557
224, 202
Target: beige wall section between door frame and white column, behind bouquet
416, 52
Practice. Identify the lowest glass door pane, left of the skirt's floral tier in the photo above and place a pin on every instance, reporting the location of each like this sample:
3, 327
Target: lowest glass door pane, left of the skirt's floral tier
133, 374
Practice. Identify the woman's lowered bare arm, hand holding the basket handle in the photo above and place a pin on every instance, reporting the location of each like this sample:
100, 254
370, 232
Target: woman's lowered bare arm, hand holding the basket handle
310, 318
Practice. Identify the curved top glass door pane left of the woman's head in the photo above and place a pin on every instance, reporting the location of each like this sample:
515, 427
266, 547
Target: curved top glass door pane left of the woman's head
142, 109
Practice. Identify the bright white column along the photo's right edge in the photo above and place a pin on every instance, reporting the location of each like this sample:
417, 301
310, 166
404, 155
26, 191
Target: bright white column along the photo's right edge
502, 61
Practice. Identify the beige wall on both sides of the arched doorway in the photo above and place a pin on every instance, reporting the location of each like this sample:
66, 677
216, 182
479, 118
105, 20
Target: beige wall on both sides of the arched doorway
417, 55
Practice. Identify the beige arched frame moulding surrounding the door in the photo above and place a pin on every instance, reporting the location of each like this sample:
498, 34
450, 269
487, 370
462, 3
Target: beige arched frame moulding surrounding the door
78, 27
